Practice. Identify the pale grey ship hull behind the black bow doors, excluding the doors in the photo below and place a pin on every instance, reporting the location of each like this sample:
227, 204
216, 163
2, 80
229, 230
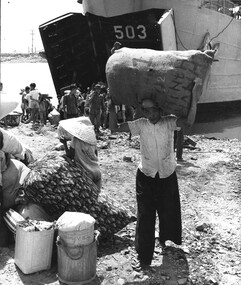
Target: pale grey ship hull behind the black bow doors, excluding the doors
192, 21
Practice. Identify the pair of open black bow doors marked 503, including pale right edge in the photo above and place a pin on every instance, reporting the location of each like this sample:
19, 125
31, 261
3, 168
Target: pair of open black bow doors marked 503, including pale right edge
77, 46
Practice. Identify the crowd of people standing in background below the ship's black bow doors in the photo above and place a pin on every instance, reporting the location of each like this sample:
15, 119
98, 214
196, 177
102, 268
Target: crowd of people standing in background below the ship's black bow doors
93, 102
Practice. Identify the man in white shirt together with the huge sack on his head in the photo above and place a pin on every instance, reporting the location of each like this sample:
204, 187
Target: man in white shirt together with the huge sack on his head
162, 84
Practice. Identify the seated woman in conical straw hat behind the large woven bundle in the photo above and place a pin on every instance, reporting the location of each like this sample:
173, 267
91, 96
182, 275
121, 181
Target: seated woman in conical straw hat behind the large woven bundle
82, 149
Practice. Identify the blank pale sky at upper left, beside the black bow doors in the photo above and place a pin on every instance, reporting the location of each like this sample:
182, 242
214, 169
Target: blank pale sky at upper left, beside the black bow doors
21, 18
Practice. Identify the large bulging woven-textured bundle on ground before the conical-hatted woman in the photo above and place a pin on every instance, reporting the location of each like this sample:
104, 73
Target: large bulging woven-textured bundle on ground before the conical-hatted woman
59, 185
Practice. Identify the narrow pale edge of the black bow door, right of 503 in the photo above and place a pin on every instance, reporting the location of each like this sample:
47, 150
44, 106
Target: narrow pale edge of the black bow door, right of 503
167, 29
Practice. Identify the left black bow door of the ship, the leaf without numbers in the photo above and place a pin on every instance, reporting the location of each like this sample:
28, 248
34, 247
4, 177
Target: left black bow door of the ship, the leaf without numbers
69, 50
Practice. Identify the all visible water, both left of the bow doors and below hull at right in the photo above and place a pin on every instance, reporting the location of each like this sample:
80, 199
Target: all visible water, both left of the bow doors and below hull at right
18, 75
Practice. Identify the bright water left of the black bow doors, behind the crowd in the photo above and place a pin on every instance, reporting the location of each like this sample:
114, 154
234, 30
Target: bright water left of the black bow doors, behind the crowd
16, 76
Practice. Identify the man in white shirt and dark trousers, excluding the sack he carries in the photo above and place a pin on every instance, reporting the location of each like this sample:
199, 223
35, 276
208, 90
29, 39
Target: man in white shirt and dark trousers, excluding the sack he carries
156, 180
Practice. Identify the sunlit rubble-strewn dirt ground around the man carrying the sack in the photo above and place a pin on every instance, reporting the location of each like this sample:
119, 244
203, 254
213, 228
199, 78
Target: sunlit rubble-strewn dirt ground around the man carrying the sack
210, 189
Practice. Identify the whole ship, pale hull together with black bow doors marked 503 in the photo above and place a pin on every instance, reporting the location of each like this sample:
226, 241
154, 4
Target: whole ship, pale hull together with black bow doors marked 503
105, 22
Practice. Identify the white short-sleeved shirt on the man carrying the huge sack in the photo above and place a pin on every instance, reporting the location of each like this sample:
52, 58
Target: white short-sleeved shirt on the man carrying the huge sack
157, 145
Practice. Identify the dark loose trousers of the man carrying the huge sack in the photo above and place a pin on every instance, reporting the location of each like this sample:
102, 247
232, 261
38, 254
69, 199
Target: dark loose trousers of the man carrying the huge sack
161, 196
